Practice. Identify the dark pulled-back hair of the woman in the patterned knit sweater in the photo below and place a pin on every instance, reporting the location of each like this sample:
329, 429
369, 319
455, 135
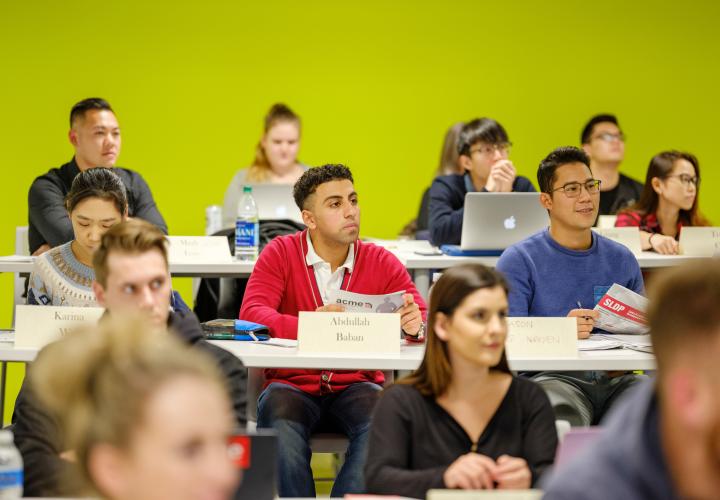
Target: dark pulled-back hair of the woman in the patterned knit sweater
100, 183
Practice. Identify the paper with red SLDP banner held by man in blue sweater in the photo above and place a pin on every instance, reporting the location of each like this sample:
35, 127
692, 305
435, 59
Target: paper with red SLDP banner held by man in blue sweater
622, 311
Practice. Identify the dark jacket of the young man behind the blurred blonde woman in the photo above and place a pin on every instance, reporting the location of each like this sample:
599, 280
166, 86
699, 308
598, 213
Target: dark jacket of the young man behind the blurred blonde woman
38, 436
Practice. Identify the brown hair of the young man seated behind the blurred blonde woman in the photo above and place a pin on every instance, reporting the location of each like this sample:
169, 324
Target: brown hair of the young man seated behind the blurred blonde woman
132, 236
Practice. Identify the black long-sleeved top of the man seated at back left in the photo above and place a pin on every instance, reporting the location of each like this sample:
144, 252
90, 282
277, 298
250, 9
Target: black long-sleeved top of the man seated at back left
48, 220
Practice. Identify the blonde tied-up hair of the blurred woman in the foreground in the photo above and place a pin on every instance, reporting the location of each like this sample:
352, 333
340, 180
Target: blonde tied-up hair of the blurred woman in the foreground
97, 381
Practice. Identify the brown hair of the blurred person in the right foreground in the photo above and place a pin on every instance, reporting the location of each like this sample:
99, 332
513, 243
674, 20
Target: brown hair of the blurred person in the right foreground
684, 308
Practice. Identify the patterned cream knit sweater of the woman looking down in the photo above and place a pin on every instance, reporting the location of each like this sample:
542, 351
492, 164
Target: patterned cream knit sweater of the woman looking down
59, 279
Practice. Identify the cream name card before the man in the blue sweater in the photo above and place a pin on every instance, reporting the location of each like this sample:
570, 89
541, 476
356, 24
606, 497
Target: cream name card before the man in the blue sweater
533, 338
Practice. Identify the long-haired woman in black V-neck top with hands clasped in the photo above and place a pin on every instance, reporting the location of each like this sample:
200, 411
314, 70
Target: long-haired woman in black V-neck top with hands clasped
461, 420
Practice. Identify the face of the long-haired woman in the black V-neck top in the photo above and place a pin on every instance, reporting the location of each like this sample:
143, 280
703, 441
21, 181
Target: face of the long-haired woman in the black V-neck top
477, 330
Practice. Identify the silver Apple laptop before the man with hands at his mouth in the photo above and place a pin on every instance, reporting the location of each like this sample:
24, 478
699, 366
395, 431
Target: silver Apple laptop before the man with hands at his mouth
495, 221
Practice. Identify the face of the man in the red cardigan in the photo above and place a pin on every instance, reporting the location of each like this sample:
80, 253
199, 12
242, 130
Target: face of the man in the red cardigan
333, 212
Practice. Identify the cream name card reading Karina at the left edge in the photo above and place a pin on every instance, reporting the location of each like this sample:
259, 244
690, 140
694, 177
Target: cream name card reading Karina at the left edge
37, 326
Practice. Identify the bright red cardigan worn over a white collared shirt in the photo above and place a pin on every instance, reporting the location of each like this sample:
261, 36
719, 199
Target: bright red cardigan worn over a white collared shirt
282, 284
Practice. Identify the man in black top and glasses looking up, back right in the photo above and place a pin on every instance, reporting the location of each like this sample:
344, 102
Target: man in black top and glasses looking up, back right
604, 143
